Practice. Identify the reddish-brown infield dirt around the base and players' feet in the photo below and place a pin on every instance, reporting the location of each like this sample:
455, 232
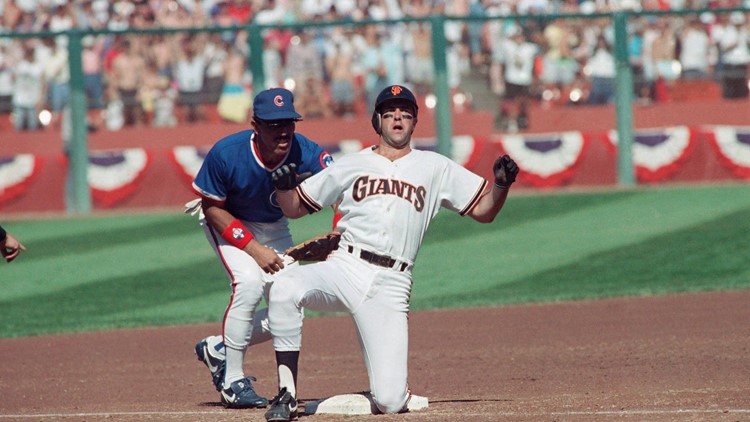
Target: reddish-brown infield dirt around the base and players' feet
665, 358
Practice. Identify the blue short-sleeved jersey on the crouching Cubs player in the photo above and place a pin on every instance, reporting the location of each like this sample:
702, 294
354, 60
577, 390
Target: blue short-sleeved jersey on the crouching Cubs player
234, 175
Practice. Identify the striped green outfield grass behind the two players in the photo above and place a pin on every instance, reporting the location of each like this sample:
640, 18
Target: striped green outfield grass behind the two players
83, 274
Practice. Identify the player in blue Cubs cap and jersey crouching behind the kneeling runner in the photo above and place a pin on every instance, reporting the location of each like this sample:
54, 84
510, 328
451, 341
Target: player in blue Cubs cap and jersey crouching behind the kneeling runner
248, 232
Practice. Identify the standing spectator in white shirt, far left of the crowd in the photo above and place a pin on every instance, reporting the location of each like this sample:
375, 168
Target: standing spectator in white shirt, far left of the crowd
29, 90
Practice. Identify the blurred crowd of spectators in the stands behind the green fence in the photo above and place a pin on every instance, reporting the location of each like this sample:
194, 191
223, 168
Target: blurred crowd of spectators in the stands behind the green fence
162, 79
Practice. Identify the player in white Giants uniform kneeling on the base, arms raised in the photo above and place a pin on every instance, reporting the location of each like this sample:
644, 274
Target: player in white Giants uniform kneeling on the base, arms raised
389, 194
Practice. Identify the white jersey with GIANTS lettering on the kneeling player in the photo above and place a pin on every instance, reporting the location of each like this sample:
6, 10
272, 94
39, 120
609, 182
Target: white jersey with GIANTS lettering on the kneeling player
386, 206
